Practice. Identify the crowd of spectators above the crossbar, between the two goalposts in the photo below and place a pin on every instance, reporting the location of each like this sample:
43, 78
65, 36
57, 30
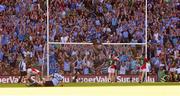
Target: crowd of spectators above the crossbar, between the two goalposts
107, 21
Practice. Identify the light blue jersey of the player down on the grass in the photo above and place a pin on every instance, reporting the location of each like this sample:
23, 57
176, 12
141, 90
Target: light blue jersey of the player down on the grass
57, 78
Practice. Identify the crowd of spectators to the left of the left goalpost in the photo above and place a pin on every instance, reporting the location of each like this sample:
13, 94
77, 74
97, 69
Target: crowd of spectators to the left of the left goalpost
22, 33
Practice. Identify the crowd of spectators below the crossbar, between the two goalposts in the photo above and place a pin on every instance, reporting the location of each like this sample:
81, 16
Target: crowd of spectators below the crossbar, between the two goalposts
95, 59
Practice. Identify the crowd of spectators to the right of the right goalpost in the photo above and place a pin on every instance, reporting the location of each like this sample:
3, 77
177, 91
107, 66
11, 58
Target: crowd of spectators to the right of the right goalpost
164, 36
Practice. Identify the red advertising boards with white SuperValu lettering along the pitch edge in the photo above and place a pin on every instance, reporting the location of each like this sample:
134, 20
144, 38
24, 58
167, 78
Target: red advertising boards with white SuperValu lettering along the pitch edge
87, 78
